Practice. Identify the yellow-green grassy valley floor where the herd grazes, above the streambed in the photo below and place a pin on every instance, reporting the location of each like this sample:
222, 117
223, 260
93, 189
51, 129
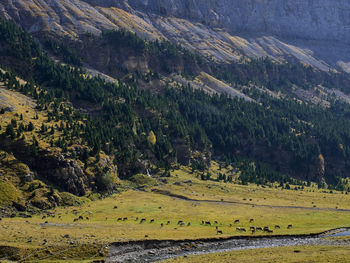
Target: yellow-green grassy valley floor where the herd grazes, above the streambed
59, 234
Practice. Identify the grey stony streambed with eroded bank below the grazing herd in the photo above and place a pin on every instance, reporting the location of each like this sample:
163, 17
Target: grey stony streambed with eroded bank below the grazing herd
158, 250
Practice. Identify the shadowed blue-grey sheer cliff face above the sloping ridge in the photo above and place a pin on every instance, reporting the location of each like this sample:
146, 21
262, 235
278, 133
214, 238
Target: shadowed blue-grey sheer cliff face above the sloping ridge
306, 19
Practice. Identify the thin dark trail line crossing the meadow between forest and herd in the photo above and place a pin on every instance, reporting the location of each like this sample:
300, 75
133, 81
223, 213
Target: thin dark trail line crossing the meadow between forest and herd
185, 198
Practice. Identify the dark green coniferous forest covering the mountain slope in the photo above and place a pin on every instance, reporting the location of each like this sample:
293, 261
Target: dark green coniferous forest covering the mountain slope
142, 128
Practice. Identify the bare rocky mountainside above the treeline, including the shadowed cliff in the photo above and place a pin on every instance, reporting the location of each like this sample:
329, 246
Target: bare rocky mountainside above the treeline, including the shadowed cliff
313, 32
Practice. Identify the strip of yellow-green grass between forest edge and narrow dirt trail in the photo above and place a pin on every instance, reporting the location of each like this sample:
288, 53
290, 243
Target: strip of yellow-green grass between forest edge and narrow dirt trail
252, 194
